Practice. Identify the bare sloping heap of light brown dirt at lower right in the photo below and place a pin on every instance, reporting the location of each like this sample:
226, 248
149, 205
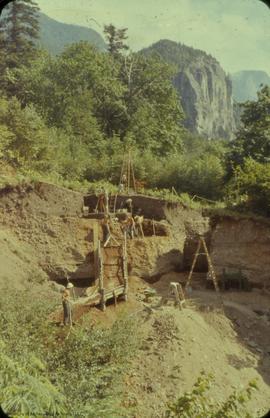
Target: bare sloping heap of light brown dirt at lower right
178, 345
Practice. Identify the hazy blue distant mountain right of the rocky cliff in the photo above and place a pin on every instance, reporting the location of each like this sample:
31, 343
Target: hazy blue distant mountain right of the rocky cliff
247, 83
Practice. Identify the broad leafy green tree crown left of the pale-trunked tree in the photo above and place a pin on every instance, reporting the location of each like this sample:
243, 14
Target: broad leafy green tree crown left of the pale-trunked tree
56, 85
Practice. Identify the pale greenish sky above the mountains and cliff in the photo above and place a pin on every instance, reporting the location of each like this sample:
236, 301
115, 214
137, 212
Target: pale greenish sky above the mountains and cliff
235, 32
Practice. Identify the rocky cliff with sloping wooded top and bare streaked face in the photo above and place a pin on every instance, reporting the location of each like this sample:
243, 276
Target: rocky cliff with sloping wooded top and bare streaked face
204, 88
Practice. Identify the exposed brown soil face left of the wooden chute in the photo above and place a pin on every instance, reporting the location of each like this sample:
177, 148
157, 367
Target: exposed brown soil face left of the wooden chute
42, 233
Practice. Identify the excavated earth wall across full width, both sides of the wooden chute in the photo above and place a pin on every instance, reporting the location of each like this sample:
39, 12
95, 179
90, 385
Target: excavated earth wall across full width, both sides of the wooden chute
44, 232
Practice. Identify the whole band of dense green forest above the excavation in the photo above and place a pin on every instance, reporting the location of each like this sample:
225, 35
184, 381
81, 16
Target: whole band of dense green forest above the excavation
72, 117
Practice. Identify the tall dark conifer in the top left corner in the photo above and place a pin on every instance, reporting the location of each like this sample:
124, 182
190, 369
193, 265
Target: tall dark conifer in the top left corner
21, 29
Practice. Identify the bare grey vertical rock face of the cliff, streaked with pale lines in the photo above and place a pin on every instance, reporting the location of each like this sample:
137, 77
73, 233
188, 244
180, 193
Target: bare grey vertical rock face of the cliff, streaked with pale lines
206, 94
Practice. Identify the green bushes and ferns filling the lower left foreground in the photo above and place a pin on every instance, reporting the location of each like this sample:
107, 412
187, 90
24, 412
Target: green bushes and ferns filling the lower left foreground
46, 370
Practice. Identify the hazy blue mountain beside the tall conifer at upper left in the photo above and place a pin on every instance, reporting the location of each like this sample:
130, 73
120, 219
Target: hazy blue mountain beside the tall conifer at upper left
55, 36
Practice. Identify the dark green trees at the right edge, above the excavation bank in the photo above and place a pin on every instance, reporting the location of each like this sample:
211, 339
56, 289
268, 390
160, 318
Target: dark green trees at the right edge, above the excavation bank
248, 187
